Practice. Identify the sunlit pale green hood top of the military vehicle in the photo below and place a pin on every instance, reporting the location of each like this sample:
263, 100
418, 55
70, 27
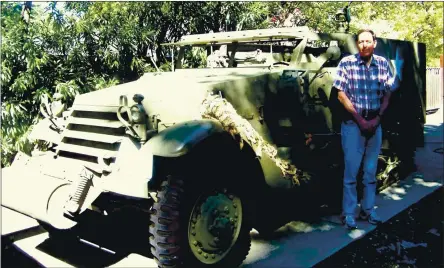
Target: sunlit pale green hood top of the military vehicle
172, 96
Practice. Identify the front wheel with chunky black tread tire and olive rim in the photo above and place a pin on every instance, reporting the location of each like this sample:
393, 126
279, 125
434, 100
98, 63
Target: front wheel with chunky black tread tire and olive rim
198, 226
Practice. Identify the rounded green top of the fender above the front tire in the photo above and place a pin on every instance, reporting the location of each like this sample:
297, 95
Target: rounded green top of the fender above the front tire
179, 139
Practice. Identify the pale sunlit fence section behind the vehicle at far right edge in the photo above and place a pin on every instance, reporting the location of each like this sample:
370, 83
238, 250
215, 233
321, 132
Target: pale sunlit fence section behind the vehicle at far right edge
434, 88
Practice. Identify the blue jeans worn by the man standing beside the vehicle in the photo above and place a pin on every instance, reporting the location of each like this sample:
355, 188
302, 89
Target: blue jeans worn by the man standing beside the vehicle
358, 148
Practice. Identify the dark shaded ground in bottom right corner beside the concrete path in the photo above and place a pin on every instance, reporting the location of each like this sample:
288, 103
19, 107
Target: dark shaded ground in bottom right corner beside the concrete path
413, 238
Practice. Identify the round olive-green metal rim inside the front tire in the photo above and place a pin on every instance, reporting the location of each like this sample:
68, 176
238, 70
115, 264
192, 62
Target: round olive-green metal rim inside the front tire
214, 225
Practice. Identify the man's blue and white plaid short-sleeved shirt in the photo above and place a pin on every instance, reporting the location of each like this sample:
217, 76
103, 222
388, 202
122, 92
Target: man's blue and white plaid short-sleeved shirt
364, 86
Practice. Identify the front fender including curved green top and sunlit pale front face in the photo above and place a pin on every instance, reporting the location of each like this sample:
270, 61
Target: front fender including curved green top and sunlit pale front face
158, 155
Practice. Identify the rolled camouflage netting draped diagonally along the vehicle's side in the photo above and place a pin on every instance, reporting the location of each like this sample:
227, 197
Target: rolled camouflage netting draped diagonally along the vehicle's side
218, 108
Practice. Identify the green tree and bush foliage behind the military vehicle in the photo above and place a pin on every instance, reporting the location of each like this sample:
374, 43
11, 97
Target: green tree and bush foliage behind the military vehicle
76, 47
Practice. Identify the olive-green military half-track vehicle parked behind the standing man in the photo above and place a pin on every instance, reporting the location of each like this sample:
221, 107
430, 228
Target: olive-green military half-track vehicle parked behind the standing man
207, 154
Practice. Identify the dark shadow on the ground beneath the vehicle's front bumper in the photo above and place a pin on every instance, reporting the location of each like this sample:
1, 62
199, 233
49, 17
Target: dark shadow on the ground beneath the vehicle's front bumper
100, 241
